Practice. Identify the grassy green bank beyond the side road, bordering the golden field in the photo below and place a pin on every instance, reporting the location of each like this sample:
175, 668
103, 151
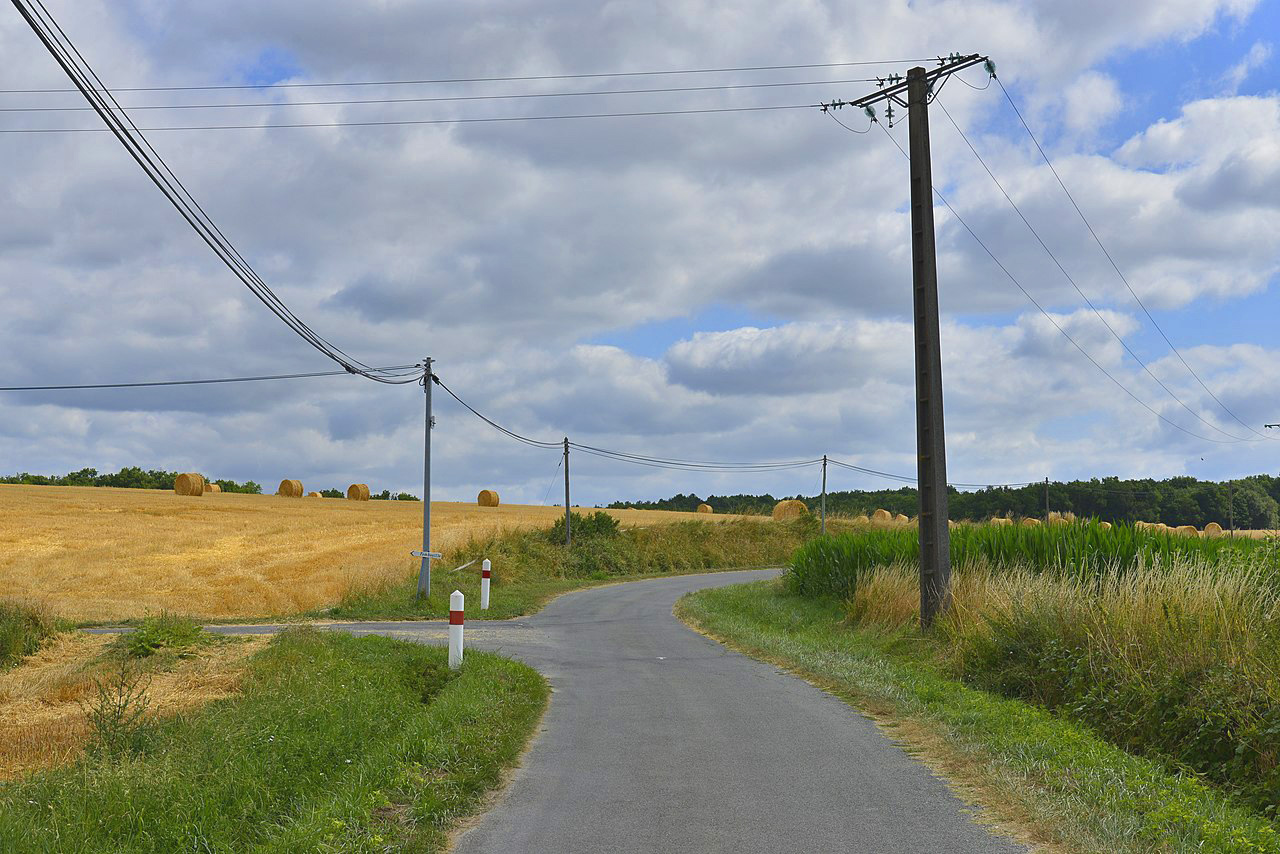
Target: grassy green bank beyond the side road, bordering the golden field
533, 567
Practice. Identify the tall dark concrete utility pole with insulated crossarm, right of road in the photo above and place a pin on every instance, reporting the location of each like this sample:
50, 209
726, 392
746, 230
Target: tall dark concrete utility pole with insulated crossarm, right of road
920, 88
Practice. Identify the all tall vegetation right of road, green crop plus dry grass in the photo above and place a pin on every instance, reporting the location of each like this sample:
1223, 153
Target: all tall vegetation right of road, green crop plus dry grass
1169, 646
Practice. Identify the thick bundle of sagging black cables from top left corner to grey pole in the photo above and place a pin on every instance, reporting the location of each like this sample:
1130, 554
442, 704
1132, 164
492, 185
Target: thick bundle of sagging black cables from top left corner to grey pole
121, 126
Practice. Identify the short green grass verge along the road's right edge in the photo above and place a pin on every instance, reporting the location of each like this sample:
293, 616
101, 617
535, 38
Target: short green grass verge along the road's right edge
1036, 770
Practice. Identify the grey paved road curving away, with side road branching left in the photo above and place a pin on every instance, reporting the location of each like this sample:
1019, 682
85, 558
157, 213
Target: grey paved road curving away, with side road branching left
660, 739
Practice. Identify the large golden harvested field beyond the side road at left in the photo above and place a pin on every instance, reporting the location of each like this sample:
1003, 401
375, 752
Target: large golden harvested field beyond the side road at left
94, 554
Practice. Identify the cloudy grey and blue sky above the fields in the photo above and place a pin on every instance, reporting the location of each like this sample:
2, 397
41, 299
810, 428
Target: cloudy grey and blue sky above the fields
721, 286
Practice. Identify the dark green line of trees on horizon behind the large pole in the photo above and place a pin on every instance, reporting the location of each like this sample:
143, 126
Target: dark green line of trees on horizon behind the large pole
1252, 503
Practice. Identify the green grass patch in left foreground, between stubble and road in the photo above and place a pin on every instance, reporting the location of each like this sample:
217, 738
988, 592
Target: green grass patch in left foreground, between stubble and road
337, 743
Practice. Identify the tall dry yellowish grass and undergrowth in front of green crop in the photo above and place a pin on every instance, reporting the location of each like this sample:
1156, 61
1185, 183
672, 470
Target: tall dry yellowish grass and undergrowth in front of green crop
1181, 663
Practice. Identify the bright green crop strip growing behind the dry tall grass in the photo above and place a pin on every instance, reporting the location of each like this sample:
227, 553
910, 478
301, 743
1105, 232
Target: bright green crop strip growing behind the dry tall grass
834, 565
